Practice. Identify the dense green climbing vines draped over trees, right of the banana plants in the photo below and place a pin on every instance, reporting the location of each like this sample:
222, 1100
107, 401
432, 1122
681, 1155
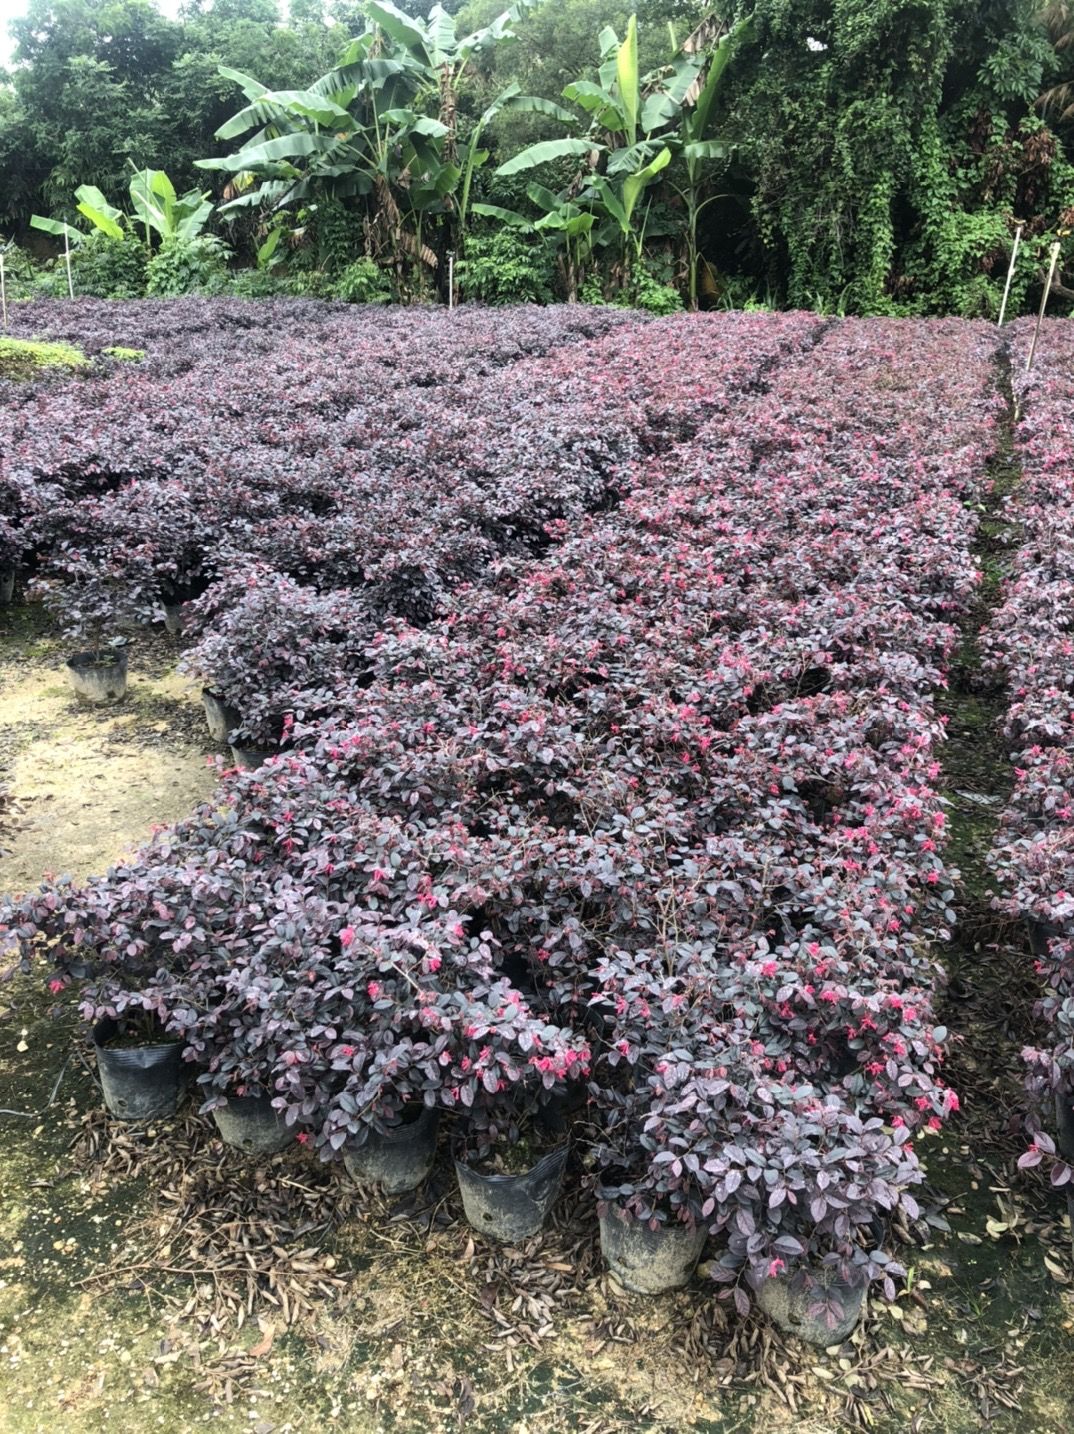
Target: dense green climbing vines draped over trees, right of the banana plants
891, 148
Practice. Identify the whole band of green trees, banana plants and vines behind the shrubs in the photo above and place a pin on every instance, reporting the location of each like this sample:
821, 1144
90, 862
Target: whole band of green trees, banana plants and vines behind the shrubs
855, 156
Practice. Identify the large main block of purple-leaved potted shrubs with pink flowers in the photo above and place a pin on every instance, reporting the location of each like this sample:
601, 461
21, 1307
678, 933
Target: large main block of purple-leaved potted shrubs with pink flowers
580, 679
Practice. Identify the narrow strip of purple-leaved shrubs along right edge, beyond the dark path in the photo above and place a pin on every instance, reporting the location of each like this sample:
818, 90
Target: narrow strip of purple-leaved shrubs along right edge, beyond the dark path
1030, 646
